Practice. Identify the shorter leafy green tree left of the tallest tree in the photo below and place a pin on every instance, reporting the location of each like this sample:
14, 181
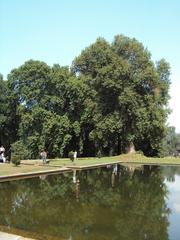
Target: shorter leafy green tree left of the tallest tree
50, 105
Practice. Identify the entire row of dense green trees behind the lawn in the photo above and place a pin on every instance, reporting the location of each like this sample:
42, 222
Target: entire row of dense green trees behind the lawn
113, 99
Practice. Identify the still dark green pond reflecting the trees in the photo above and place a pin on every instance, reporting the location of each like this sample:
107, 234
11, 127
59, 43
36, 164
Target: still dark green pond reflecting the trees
112, 203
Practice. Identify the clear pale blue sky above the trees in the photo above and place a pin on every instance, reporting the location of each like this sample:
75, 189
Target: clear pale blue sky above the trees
55, 31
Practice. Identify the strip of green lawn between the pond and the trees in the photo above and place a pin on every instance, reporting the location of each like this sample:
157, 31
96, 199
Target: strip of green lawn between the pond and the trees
31, 166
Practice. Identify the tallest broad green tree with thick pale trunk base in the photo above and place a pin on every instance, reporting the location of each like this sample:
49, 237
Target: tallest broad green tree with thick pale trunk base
131, 95
